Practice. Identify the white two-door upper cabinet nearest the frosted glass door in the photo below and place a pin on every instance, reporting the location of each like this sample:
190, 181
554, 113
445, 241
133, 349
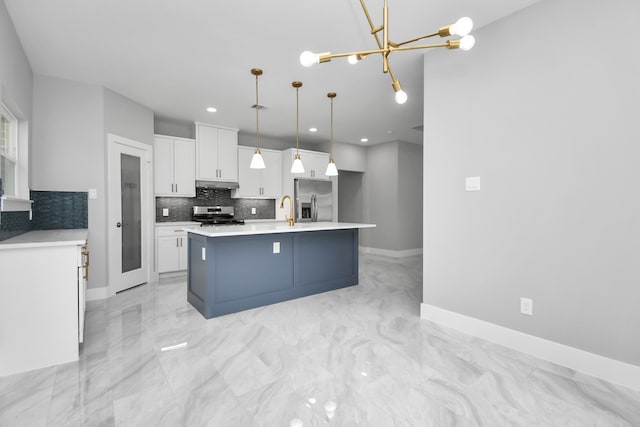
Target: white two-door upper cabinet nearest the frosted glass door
174, 167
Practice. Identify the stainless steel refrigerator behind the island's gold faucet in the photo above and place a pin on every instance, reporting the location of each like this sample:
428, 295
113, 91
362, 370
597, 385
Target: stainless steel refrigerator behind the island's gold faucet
314, 200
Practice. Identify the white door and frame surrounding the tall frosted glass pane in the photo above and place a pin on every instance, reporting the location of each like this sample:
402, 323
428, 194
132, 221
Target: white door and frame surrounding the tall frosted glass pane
146, 171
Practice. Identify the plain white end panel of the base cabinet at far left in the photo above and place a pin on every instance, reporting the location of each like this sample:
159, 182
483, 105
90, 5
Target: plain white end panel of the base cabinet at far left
38, 308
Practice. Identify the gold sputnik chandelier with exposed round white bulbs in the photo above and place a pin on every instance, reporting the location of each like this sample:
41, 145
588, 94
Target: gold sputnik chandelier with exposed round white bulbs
461, 28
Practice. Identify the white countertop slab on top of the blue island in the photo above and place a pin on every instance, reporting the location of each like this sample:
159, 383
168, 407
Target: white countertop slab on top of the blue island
271, 227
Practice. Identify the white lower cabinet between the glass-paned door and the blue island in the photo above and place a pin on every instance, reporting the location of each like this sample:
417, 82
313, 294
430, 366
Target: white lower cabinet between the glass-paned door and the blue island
171, 249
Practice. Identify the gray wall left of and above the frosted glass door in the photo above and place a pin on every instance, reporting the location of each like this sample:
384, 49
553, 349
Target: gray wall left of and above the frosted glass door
71, 121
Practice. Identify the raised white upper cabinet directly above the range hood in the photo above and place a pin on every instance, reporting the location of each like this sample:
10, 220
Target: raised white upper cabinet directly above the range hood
217, 153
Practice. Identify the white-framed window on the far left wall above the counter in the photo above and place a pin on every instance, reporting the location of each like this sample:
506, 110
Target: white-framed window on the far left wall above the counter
8, 151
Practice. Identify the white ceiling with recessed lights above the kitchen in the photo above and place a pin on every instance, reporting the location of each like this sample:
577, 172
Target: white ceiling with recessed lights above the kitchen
178, 57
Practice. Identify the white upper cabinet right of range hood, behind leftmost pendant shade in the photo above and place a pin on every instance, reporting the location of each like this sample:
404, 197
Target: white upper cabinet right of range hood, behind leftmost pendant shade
262, 183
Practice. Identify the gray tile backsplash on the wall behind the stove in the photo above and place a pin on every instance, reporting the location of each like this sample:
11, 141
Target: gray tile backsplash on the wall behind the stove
180, 208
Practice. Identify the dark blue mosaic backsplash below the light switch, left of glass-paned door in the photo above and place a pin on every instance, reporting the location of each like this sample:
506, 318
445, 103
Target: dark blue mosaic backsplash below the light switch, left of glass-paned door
60, 210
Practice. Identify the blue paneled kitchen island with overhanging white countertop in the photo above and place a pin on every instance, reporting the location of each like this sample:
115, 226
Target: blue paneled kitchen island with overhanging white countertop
238, 267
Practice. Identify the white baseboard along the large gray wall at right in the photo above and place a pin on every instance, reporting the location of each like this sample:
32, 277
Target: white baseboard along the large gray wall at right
592, 364
